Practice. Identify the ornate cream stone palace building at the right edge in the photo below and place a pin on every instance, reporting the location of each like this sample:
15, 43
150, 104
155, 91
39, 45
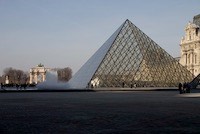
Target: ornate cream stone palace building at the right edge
190, 46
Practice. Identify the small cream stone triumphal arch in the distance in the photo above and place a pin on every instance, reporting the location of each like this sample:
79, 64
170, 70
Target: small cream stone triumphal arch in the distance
38, 74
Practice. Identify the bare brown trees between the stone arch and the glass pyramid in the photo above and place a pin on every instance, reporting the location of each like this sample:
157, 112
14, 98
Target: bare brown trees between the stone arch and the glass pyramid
64, 74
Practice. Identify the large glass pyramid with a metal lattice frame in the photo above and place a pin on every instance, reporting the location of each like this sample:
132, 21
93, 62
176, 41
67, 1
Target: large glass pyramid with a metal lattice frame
129, 57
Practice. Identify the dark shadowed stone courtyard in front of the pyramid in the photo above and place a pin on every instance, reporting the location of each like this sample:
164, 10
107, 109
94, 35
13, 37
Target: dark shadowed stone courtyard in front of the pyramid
99, 112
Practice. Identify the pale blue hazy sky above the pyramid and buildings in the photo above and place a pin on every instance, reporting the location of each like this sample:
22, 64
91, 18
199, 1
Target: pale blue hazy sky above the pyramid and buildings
65, 33
